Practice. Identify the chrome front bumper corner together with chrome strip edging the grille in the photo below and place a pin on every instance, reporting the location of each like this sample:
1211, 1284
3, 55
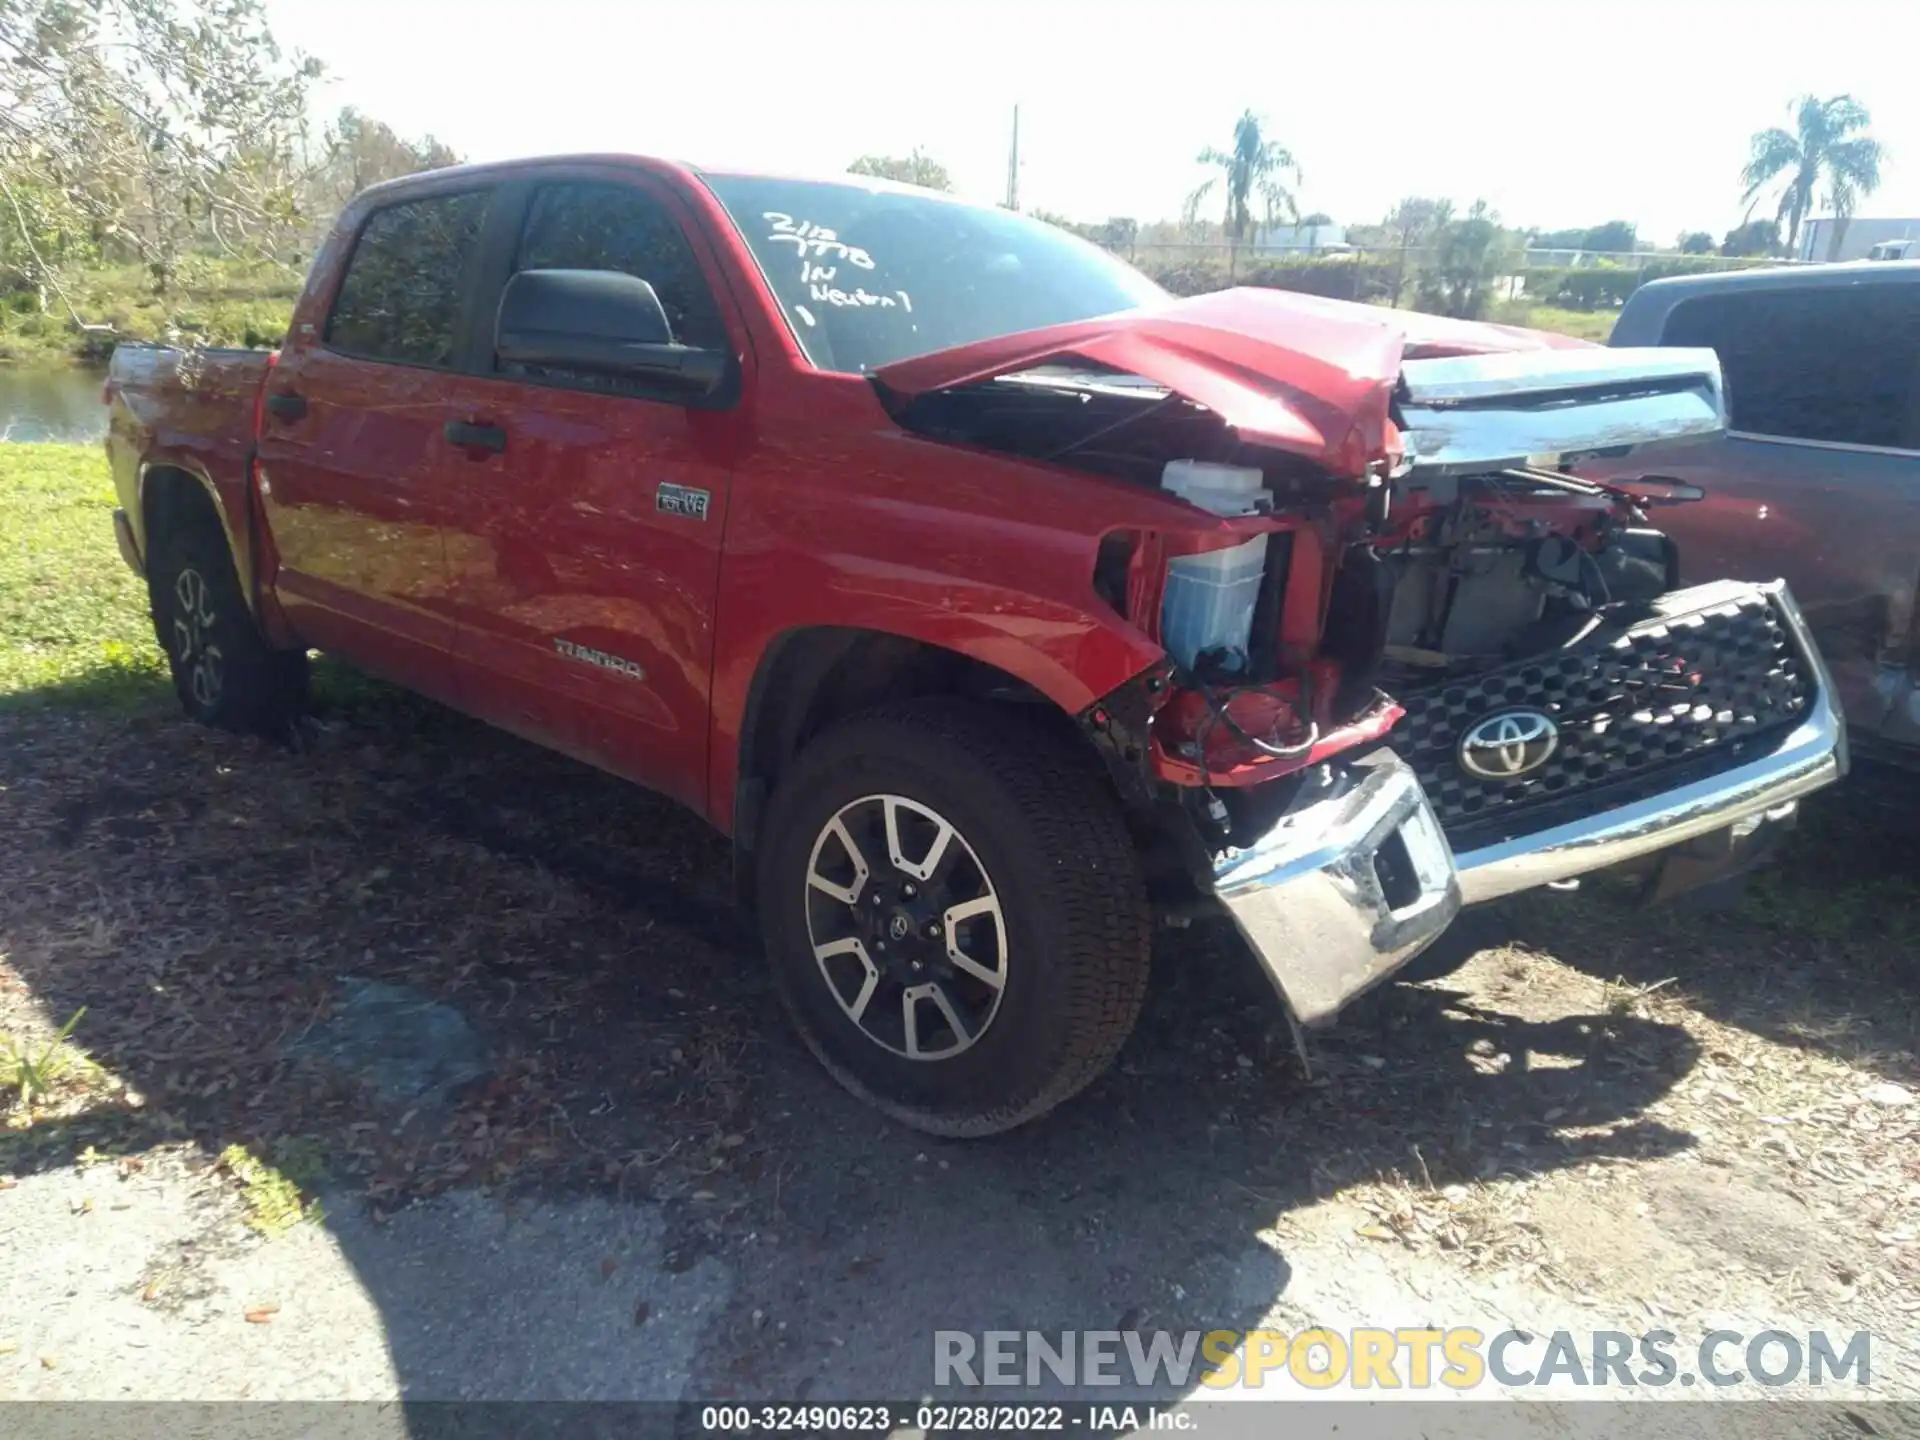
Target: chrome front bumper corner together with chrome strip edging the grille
1358, 878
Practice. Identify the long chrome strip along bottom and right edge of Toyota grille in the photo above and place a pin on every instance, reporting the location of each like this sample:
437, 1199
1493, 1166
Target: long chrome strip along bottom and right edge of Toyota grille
1812, 757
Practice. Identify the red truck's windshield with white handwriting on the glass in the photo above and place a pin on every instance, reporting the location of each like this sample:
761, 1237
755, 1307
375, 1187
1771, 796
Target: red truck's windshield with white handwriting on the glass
871, 276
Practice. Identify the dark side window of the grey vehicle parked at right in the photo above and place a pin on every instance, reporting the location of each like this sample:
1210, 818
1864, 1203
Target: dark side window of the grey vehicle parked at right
1821, 364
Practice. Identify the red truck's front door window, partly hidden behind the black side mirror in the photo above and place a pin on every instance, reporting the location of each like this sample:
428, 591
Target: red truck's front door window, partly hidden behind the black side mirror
619, 228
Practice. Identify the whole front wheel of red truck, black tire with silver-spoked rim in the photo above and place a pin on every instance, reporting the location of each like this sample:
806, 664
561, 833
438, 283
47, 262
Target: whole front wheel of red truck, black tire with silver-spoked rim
955, 915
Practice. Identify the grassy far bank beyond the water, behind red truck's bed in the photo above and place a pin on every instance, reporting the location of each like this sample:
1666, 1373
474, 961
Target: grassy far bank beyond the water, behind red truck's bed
210, 302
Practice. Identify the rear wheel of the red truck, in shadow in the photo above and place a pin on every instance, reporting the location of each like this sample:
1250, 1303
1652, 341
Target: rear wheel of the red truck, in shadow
193, 588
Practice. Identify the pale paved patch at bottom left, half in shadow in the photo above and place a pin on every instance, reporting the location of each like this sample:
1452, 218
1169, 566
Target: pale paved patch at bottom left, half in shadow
456, 1299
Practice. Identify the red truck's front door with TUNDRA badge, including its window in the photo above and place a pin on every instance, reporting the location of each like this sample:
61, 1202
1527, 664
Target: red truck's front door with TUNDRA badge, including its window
587, 550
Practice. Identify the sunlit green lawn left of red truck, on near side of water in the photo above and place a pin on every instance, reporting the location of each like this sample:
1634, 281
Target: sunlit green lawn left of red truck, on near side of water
74, 623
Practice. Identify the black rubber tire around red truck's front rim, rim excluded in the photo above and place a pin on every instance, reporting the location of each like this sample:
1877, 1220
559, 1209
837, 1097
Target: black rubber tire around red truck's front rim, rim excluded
1049, 834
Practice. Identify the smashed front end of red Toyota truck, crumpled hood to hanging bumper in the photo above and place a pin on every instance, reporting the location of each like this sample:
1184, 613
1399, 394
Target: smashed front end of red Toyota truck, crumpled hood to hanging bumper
1460, 671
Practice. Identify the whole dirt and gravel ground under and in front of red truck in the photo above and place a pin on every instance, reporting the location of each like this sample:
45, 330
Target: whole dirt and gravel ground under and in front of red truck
592, 1163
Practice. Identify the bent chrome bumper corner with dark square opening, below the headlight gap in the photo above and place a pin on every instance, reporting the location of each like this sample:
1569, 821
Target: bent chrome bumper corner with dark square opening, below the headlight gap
1312, 901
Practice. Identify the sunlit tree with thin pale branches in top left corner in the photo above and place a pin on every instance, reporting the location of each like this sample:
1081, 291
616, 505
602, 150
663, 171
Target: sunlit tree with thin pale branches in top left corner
153, 130
